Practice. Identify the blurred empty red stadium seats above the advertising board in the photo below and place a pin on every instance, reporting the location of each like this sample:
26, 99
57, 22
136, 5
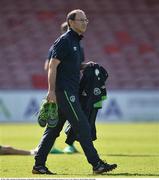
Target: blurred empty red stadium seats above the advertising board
122, 36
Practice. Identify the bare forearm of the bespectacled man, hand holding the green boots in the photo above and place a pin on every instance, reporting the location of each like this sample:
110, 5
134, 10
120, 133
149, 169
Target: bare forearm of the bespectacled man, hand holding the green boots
52, 79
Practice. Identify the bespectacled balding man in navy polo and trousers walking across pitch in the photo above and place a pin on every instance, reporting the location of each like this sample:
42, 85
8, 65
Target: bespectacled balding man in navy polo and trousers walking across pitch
63, 81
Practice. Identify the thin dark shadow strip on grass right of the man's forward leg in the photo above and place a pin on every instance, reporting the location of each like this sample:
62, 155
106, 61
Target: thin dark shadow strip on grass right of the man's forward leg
133, 155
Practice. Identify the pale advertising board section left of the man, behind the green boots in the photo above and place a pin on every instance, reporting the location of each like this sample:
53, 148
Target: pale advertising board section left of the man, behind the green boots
20, 105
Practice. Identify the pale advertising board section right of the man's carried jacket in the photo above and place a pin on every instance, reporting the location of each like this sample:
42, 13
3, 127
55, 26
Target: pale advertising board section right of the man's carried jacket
130, 106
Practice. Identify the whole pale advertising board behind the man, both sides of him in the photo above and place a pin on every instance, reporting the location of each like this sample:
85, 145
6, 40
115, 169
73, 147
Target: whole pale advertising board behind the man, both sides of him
16, 106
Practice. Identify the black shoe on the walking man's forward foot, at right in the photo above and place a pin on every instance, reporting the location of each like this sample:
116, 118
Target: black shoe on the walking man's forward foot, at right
103, 167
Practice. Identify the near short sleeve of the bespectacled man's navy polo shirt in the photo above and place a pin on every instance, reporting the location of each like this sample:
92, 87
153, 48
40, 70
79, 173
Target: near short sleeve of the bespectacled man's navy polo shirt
60, 49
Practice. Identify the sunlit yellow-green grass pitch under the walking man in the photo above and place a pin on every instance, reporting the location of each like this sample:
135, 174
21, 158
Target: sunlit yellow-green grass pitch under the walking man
133, 146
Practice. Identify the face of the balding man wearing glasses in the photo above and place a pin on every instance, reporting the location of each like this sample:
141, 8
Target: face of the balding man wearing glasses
80, 23
